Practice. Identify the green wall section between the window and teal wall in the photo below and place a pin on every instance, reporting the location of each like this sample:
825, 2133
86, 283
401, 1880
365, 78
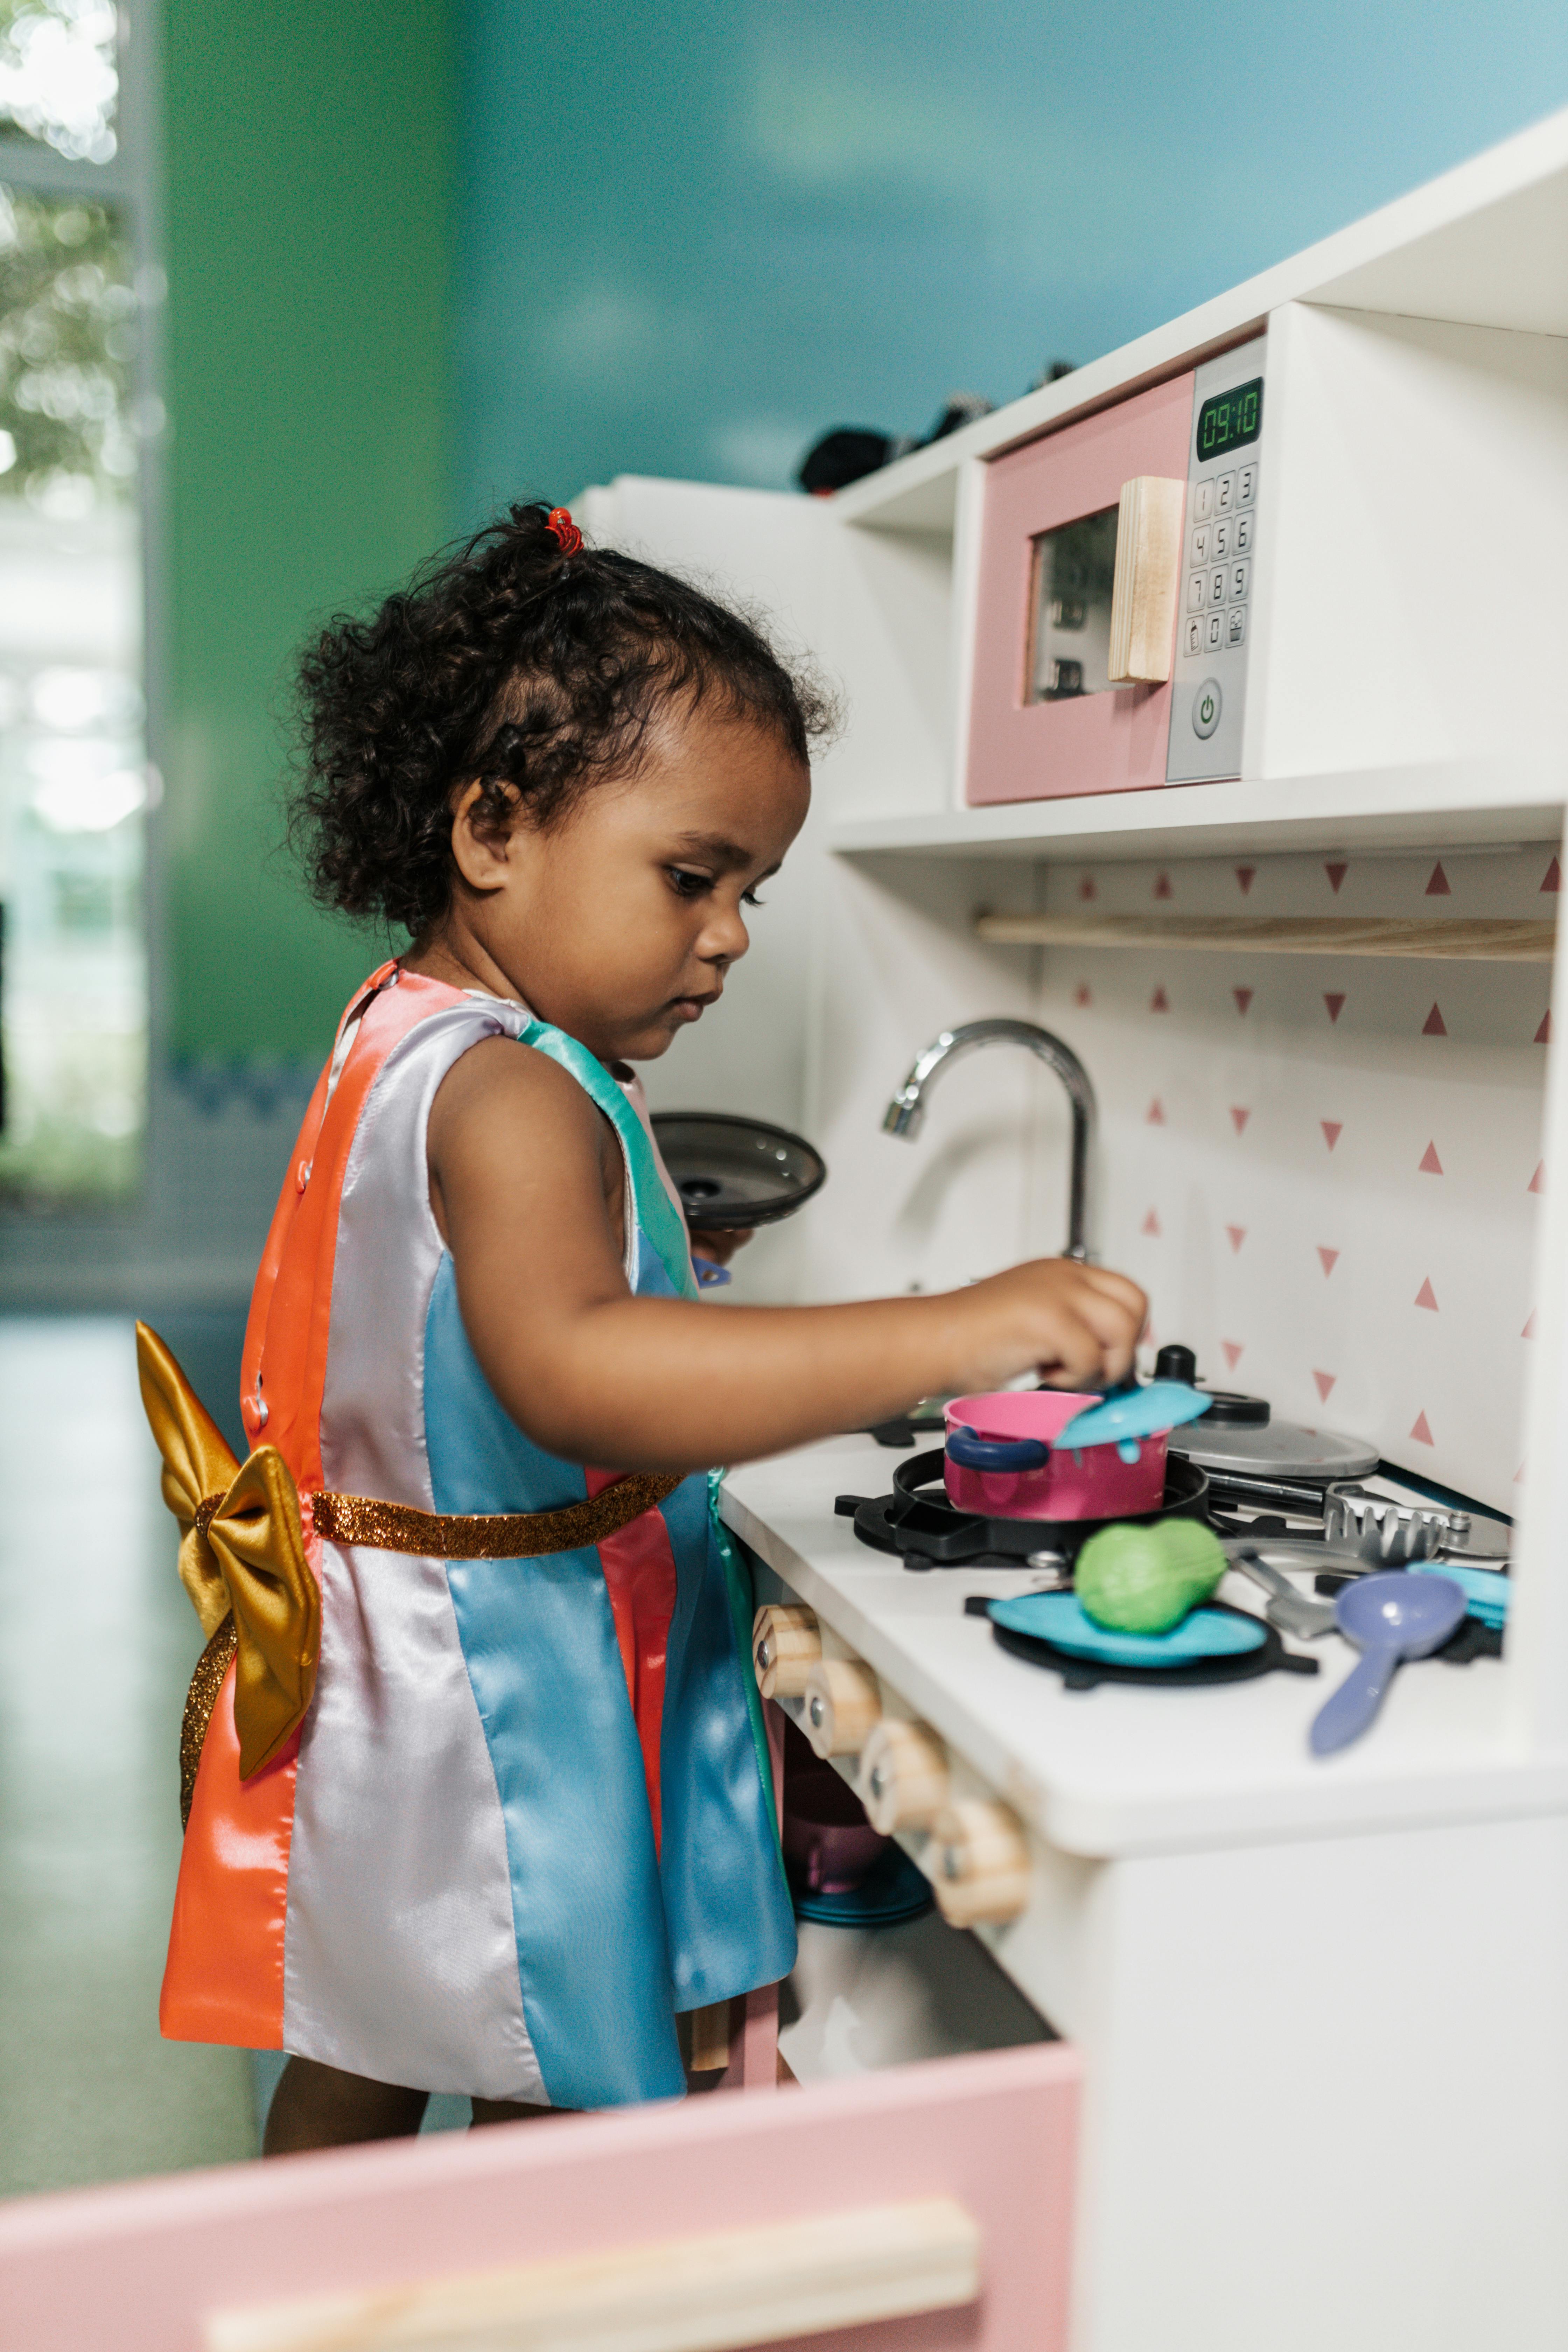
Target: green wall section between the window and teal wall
309, 154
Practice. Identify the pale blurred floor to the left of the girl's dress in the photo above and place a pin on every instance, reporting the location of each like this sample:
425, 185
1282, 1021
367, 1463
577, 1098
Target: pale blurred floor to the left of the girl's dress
98, 1643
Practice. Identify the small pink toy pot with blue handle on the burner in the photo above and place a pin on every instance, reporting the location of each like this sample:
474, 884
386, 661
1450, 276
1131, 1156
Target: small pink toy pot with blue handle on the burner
1017, 1483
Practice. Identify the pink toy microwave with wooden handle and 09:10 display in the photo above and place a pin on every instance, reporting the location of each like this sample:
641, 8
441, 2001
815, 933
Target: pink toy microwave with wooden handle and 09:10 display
1115, 599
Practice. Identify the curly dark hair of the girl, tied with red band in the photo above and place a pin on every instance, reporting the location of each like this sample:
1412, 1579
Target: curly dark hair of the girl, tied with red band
509, 662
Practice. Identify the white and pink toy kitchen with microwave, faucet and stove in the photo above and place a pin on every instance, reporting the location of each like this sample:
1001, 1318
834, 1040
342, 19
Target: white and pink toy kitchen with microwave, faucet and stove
1179, 895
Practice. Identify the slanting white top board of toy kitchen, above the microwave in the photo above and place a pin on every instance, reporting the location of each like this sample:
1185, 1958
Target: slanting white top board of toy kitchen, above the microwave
1485, 246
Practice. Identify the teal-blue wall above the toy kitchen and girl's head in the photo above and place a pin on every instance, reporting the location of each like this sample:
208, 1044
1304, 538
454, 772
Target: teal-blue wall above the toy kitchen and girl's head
699, 234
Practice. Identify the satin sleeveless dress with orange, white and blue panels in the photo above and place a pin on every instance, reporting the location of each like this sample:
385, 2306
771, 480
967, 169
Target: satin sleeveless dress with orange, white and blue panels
528, 1817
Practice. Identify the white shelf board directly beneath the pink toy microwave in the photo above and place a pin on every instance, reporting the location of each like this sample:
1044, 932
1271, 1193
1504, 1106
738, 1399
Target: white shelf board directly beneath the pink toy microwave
1409, 808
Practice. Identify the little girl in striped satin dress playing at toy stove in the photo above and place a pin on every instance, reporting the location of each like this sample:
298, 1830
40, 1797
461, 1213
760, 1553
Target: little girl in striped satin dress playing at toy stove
514, 1817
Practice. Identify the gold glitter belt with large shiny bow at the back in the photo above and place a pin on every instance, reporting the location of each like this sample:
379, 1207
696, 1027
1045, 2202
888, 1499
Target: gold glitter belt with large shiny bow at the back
243, 1558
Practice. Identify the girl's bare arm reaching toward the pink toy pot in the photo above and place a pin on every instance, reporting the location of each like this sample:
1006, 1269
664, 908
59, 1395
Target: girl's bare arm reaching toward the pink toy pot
664, 1384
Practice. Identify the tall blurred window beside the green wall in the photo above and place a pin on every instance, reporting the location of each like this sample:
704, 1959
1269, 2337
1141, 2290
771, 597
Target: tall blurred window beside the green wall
74, 770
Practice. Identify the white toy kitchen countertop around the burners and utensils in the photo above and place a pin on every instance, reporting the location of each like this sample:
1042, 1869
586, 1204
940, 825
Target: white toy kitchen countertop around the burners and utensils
1130, 1770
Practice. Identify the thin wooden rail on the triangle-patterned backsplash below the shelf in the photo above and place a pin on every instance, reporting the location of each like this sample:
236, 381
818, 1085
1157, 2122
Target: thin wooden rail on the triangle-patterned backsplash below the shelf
1468, 940
